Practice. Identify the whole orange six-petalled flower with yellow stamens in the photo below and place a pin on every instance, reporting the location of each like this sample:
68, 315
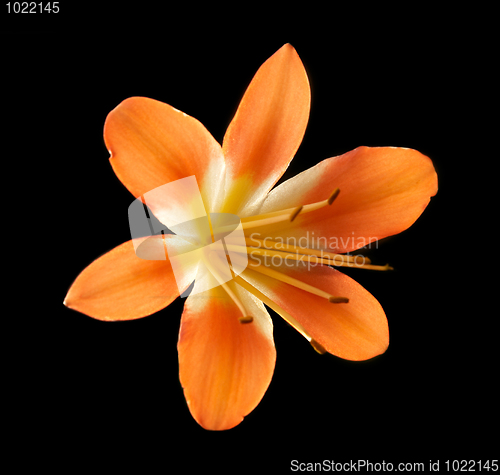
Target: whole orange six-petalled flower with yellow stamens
295, 235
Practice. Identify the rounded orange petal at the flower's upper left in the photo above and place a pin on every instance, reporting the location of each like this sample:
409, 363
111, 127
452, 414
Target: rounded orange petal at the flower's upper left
152, 144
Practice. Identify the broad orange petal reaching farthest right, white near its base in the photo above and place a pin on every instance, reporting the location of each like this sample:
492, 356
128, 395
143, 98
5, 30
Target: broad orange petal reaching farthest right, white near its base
382, 192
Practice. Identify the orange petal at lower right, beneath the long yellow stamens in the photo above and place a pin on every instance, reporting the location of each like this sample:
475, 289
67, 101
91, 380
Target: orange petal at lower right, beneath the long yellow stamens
356, 330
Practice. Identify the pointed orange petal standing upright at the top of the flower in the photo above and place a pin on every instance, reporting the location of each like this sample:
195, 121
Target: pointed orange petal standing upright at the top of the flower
267, 129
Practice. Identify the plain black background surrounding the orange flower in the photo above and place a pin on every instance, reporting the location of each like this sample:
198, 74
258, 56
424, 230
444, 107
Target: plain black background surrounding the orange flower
88, 392
